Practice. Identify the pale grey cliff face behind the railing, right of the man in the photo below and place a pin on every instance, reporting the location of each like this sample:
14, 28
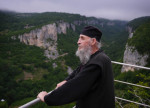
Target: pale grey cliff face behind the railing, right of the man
132, 56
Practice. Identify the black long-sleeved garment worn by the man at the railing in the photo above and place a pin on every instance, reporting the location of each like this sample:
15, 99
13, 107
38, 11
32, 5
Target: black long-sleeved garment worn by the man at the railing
90, 85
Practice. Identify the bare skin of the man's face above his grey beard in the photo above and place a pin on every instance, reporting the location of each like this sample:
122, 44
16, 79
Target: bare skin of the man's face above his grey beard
83, 42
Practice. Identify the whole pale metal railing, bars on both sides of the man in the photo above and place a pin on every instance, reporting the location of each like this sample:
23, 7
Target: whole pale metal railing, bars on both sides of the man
142, 67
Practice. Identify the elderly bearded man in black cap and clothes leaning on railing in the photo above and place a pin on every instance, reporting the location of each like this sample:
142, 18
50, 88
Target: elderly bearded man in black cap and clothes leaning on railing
91, 84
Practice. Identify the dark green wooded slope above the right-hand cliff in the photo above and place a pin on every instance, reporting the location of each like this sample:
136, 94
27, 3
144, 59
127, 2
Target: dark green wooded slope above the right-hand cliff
141, 35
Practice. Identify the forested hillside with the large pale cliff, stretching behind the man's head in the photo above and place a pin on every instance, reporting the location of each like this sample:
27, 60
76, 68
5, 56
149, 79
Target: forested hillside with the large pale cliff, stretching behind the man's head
24, 68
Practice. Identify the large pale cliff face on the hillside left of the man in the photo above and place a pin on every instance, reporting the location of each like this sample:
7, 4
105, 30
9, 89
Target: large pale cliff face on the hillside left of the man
46, 37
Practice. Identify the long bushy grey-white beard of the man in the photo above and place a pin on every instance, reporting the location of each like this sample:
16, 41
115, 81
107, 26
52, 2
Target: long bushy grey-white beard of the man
84, 54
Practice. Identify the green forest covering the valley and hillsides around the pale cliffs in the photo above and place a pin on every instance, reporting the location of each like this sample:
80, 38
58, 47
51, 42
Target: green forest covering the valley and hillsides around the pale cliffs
25, 71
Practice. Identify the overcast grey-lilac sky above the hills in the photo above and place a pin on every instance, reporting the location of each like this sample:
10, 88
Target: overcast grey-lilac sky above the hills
110, 9
